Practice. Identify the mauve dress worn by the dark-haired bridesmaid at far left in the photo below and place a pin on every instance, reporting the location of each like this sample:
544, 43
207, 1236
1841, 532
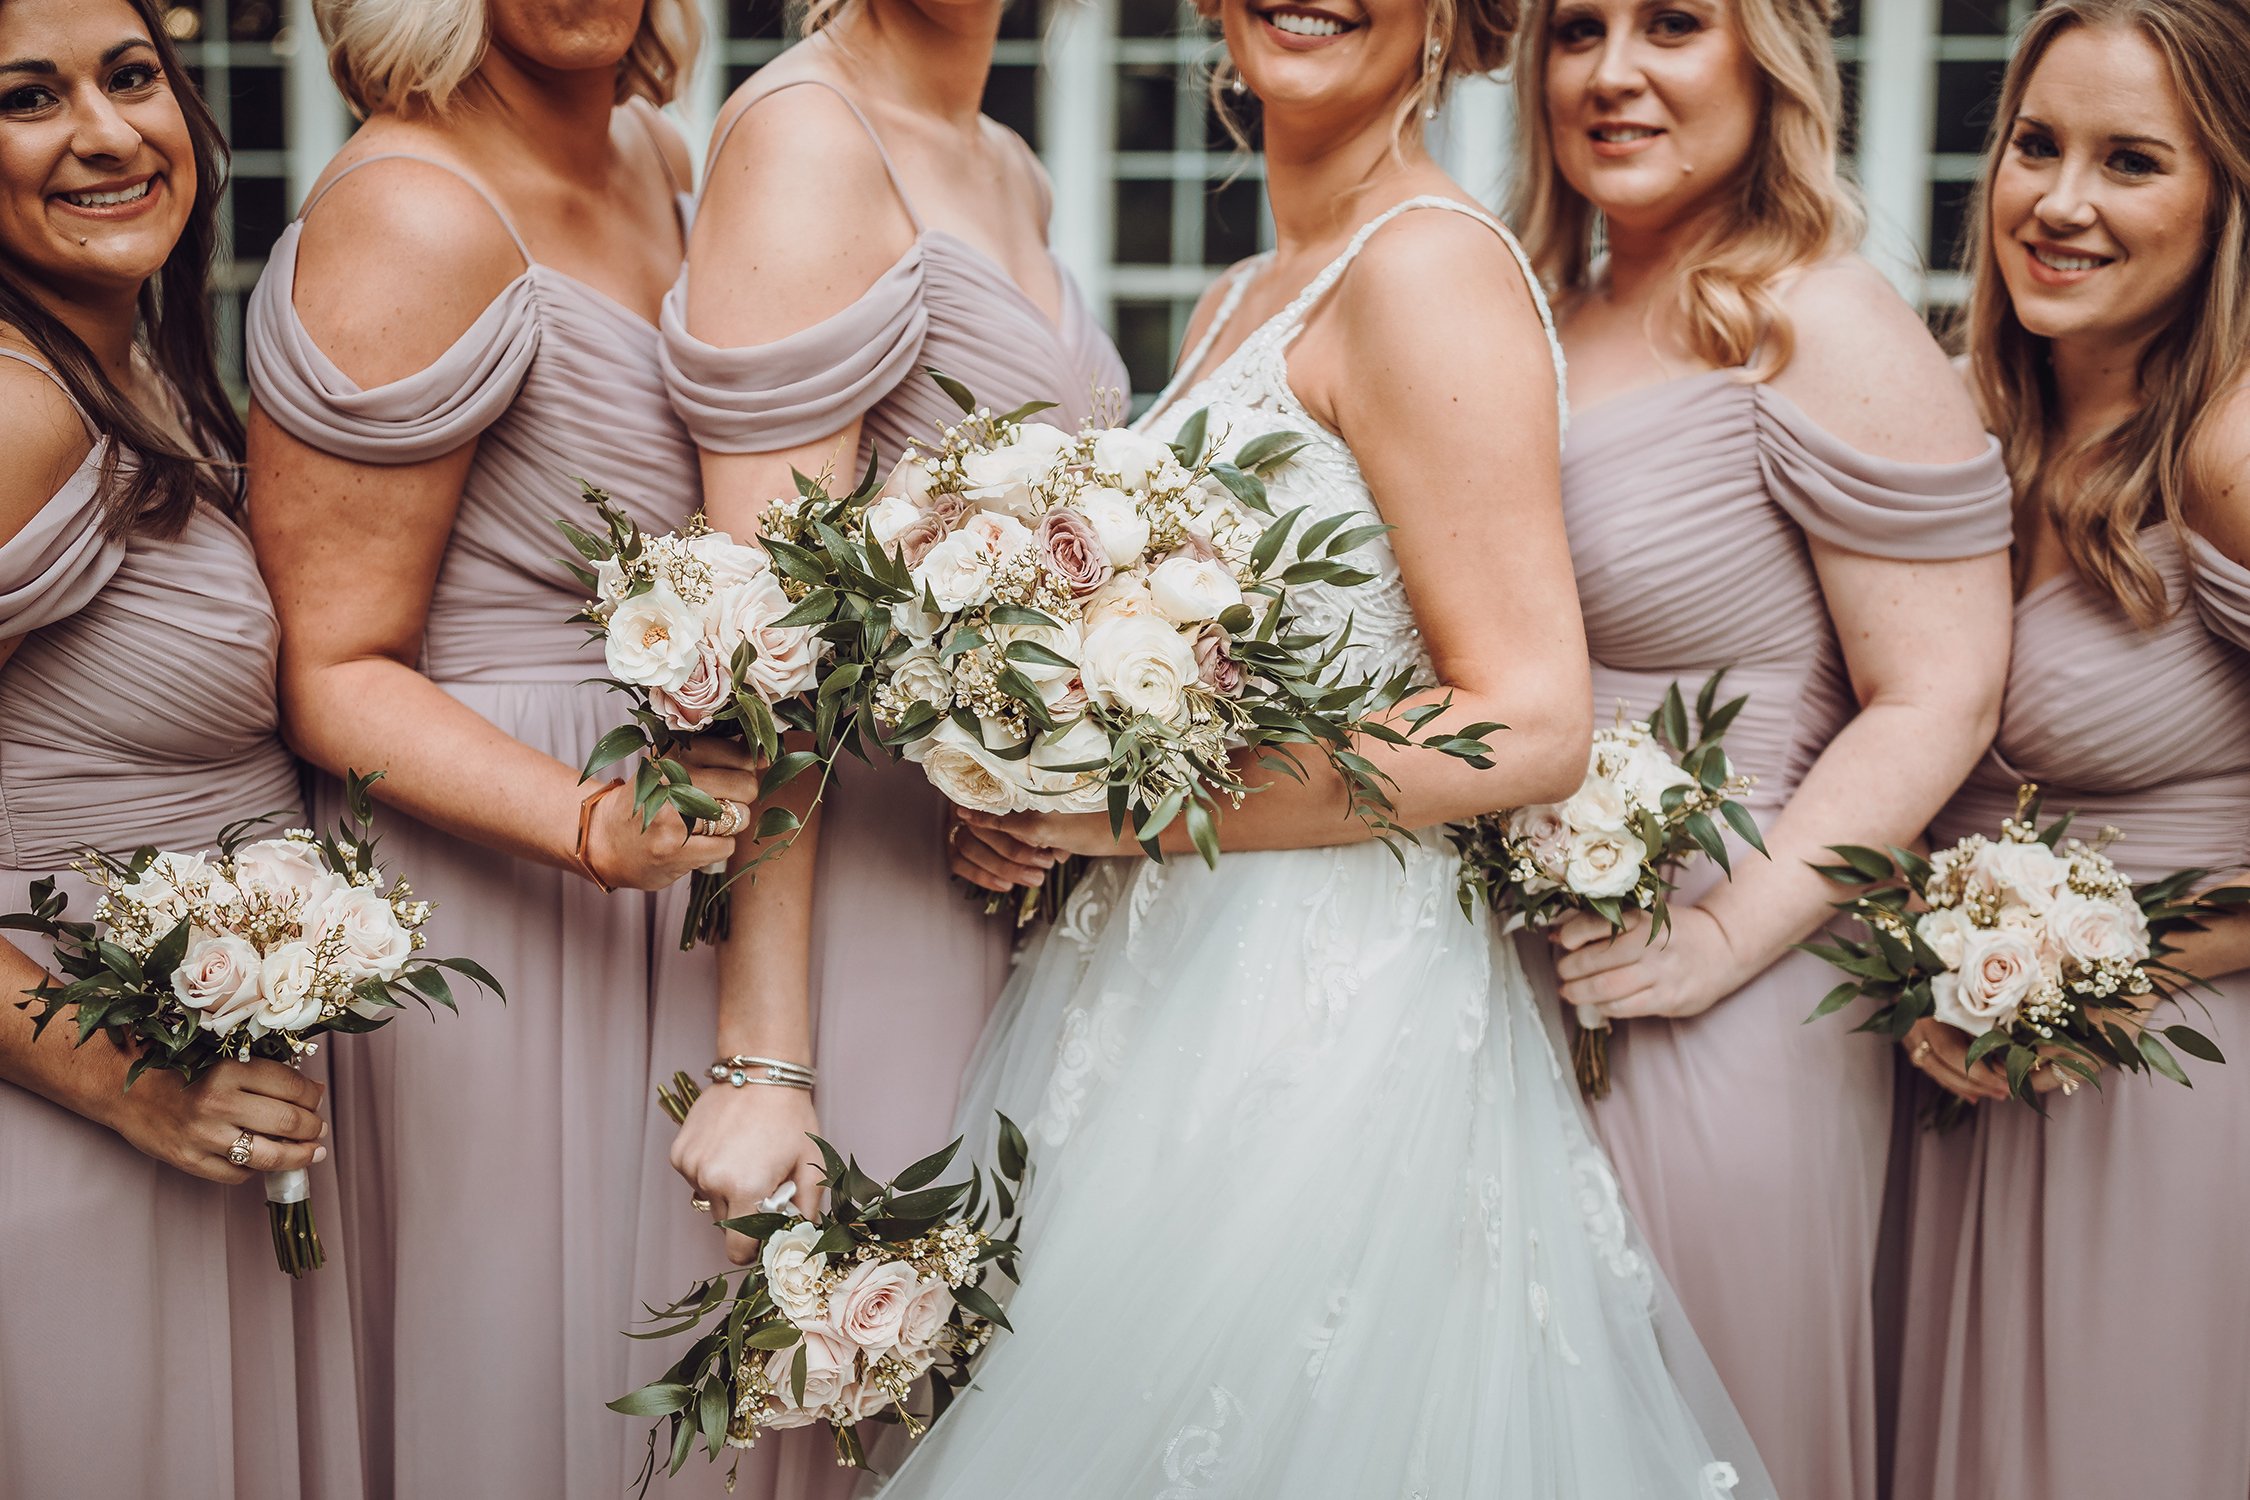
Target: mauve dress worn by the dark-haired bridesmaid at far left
147, 1341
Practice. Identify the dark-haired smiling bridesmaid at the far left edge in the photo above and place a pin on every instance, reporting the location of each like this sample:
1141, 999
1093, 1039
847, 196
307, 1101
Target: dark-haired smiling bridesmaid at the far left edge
145, 1337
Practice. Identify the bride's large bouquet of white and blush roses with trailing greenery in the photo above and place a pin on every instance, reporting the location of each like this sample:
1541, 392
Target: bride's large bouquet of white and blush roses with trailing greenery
1095, 622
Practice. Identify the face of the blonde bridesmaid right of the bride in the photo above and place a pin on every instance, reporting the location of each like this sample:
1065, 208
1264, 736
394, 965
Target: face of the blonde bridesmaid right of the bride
1653, 107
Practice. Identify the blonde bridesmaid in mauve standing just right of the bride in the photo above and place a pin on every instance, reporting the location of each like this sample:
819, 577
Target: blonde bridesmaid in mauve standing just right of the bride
1770, 471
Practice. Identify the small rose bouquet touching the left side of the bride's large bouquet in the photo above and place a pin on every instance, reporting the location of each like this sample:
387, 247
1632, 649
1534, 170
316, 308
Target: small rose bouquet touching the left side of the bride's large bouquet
701, 635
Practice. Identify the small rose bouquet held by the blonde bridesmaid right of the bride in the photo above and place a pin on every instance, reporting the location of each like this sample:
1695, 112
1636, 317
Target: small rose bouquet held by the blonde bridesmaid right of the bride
1650, 802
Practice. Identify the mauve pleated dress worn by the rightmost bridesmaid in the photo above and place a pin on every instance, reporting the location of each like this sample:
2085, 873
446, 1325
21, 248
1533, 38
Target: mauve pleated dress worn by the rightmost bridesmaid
2078, 1310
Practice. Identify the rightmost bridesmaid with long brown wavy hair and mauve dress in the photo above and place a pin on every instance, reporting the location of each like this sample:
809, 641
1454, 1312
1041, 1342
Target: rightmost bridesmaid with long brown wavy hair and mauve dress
2076, 1312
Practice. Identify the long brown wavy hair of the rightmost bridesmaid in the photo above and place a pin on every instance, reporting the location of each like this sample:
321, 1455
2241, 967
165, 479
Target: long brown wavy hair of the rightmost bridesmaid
2100, 494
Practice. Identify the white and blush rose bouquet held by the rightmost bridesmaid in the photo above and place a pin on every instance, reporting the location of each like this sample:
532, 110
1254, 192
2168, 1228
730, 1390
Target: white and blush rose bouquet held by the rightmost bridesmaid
2031, 943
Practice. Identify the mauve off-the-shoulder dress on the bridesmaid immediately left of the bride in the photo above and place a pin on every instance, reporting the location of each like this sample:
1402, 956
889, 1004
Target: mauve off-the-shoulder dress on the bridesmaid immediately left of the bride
906, 966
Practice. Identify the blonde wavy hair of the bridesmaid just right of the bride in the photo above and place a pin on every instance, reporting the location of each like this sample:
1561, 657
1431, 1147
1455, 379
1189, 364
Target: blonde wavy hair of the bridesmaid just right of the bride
1790, 204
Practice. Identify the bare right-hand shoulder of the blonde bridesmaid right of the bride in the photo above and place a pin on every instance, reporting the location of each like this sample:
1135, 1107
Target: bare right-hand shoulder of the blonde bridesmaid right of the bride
1869, 370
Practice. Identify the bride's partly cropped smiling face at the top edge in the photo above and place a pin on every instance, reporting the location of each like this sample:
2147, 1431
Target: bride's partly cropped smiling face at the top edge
1331, 60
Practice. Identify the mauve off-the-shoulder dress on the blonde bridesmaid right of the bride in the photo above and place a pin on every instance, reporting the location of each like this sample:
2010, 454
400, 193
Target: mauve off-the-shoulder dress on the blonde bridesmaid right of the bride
1752, 1148
